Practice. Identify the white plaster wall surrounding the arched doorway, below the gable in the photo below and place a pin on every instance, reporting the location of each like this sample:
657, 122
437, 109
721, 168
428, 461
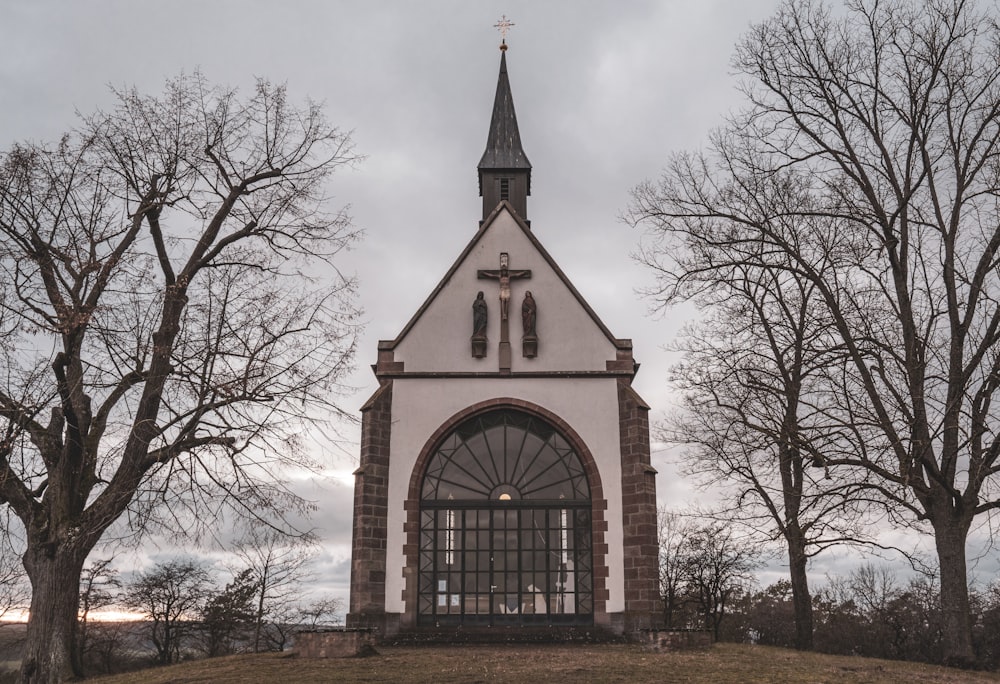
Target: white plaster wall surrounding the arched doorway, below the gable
421, 405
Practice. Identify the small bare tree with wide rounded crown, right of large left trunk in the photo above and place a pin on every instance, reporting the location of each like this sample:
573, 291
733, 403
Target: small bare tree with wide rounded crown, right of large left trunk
170, 597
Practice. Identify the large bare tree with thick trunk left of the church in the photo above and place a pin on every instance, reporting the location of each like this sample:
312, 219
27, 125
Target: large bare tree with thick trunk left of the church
170, 263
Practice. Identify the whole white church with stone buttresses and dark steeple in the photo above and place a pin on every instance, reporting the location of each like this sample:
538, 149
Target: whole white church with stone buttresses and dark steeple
505, 477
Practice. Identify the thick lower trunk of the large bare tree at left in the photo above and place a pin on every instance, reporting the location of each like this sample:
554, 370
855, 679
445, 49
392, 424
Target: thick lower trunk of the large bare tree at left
50, 651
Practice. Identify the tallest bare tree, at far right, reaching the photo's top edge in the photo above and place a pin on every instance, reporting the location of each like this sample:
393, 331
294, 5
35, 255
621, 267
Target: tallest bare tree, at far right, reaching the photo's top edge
866, 163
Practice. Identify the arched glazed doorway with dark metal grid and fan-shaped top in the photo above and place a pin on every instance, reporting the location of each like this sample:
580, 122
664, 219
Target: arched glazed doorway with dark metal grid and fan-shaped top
505, 526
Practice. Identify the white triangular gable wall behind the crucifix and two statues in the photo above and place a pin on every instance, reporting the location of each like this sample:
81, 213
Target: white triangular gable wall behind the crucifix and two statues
568, 338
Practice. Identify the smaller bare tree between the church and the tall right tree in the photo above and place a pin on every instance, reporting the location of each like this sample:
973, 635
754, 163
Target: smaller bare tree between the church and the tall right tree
755, 416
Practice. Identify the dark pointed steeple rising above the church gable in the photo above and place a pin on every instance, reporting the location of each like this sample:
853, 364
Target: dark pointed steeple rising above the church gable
504, 170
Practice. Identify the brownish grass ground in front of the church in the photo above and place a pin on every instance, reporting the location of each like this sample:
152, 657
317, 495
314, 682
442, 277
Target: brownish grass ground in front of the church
550, 664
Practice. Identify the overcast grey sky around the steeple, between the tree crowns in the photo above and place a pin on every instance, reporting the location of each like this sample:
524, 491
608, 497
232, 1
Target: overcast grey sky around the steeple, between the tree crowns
604, 91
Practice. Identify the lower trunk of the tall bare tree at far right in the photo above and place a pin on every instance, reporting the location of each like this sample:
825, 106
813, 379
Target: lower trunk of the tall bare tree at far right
950, 538
